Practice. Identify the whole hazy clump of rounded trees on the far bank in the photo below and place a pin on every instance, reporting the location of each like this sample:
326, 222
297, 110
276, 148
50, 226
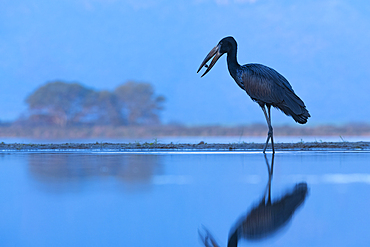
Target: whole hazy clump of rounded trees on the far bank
62, 104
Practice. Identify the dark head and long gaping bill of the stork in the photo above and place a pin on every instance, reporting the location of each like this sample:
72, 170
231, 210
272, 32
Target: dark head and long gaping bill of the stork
224, 46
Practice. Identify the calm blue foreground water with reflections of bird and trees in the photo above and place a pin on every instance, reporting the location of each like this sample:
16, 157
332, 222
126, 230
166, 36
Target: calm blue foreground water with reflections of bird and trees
167, 199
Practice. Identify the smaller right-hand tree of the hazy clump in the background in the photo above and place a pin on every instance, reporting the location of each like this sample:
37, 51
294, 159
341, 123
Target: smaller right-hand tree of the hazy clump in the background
139, 103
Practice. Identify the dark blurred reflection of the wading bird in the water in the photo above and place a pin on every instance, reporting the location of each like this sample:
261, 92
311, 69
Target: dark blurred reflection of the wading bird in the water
266, 218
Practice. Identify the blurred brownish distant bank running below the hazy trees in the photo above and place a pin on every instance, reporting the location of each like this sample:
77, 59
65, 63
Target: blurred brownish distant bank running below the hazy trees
158, 131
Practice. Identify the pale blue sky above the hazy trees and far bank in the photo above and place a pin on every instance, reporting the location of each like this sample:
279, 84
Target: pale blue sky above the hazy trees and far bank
321, 47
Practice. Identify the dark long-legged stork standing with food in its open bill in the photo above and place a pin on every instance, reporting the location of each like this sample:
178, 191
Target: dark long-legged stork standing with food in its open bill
263, 84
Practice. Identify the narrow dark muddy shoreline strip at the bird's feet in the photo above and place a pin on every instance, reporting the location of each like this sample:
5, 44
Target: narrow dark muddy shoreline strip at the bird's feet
158, 147
